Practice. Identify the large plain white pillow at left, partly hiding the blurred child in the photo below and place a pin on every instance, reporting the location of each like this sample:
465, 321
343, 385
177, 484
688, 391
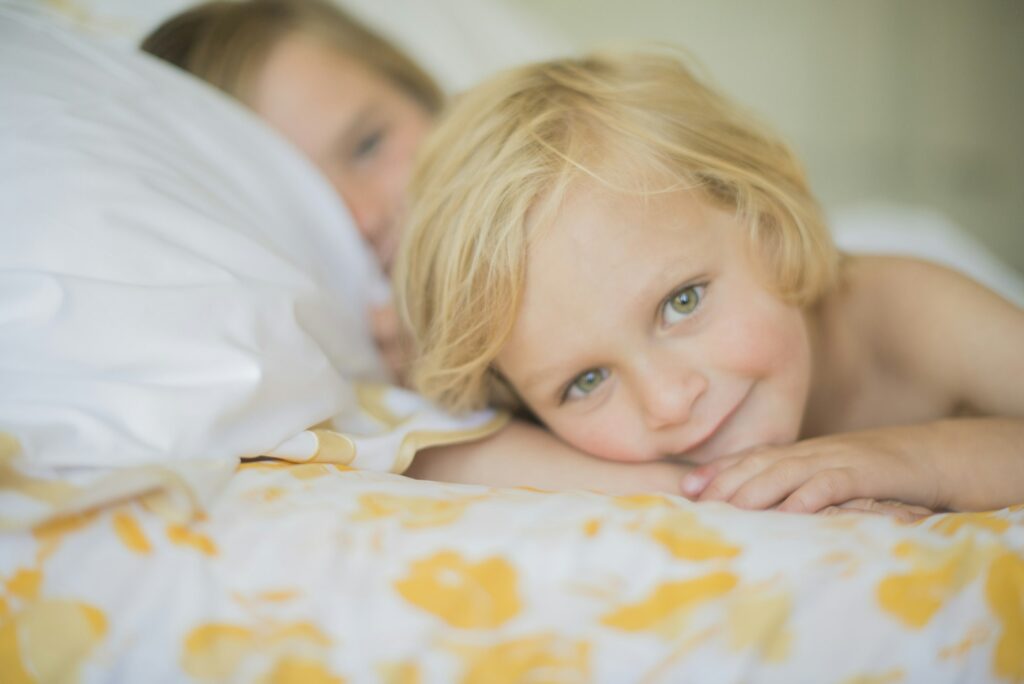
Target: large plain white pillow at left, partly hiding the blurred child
176, 282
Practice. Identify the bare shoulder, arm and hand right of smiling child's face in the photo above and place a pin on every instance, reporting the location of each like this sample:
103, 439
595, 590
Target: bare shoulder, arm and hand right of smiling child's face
917, 398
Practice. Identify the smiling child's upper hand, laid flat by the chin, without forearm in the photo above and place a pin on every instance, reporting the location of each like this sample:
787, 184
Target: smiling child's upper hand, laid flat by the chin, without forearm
812, 476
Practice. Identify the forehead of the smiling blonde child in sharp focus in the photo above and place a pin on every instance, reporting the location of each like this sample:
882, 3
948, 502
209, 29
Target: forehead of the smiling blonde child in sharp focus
605, 260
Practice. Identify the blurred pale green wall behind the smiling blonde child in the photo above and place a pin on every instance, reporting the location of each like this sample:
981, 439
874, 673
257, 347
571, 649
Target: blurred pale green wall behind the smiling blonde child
913, 102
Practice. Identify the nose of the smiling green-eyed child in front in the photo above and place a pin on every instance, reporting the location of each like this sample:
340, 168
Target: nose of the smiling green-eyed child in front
668, 394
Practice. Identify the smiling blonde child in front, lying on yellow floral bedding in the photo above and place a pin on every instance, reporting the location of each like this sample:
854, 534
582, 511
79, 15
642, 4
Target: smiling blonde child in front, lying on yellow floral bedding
616, 248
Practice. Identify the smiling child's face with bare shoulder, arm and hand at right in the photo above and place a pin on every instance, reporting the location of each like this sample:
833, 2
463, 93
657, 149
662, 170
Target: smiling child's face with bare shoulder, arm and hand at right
903, 384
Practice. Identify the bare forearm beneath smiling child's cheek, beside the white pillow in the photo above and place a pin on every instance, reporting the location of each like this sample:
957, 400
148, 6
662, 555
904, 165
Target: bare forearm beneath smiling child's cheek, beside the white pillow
523, 455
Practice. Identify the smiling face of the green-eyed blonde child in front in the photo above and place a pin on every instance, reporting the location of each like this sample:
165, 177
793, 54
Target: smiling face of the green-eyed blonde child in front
646, 333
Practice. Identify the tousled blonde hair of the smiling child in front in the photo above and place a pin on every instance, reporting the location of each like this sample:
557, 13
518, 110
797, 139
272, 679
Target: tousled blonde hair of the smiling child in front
502, 159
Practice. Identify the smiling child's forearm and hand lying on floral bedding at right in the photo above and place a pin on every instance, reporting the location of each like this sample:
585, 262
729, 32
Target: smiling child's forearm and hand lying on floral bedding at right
970, 464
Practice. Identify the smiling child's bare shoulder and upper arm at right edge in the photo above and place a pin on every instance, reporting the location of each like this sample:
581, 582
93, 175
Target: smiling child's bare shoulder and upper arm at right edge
937, 327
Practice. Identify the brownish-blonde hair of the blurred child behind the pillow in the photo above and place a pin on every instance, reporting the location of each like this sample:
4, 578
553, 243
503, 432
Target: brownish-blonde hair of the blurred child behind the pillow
227, 44
